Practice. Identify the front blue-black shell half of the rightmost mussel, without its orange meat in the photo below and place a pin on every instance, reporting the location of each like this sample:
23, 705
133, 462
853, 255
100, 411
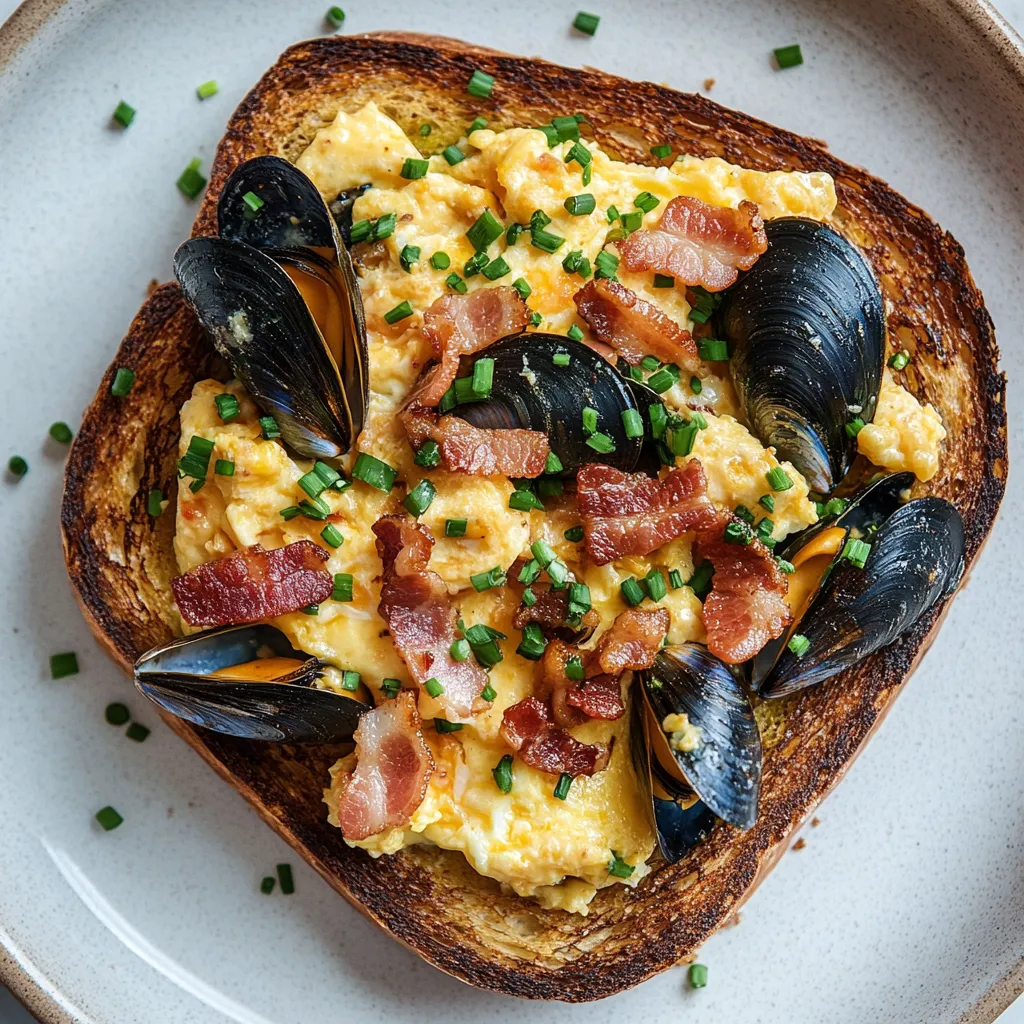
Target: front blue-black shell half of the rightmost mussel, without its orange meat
917, 559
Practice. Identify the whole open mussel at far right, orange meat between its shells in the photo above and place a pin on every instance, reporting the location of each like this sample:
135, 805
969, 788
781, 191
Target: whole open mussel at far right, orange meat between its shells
909, 557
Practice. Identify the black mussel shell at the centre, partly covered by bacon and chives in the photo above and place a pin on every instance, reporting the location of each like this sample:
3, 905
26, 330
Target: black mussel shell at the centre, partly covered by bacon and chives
531, 393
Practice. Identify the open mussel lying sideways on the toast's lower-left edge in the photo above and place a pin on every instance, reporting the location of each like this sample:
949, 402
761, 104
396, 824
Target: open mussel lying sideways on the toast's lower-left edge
179, 676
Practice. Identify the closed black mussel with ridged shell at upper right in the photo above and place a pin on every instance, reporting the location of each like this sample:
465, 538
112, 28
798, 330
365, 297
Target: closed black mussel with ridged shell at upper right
807, 332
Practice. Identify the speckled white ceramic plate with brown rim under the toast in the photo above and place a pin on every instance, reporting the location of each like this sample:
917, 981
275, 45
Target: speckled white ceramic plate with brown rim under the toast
909, 901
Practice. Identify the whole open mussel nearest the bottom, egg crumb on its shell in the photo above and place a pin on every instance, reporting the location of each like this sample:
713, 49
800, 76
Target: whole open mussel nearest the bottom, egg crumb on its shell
705, 767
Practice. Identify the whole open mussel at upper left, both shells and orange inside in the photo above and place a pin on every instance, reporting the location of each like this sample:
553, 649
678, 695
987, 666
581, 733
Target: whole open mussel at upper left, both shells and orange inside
279, 295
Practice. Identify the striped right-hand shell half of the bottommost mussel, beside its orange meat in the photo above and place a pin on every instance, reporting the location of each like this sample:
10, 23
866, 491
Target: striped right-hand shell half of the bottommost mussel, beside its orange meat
726, 769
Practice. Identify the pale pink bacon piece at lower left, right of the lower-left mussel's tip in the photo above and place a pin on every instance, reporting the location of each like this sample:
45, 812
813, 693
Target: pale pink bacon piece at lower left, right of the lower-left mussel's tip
392, 773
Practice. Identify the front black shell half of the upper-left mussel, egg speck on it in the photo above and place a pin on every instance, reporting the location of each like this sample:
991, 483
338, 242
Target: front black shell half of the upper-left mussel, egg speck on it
261, 324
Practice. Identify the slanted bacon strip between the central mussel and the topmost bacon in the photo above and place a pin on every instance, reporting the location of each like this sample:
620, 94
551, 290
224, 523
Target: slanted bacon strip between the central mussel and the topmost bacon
634, 326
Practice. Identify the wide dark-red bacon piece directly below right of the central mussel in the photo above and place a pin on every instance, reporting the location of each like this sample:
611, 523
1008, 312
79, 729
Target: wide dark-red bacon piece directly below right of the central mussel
631, 515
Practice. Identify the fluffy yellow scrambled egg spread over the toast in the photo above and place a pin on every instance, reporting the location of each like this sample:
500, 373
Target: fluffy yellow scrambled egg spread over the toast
557, 851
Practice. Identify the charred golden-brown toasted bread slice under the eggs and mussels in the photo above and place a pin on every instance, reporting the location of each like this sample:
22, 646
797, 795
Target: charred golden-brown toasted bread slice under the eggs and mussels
121, 561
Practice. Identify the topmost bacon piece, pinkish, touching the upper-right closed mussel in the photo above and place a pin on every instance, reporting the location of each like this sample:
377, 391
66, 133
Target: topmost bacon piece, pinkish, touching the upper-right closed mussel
699, 244
